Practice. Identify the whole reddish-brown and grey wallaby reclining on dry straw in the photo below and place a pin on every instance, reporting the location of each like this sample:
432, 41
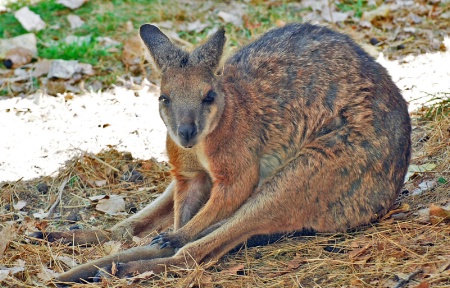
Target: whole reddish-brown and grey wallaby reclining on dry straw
301, 129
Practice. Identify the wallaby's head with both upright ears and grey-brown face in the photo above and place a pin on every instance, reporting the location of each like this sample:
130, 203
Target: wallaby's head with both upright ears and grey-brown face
190, 102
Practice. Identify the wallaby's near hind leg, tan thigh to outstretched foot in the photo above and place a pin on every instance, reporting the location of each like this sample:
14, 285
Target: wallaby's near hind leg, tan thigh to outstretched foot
285, 202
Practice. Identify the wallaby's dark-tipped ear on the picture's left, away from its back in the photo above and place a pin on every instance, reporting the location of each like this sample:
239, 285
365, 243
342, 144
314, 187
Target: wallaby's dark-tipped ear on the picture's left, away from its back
164, 52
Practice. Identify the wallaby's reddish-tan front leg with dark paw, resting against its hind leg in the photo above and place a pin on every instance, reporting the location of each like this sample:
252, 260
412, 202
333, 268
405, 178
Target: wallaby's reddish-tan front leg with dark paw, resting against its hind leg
226, 197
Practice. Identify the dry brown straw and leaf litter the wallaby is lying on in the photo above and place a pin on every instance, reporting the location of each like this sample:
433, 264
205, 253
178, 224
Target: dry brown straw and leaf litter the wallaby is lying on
406, 249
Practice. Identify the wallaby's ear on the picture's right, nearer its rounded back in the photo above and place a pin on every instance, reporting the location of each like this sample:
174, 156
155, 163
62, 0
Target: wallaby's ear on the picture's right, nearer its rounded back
209, 53
